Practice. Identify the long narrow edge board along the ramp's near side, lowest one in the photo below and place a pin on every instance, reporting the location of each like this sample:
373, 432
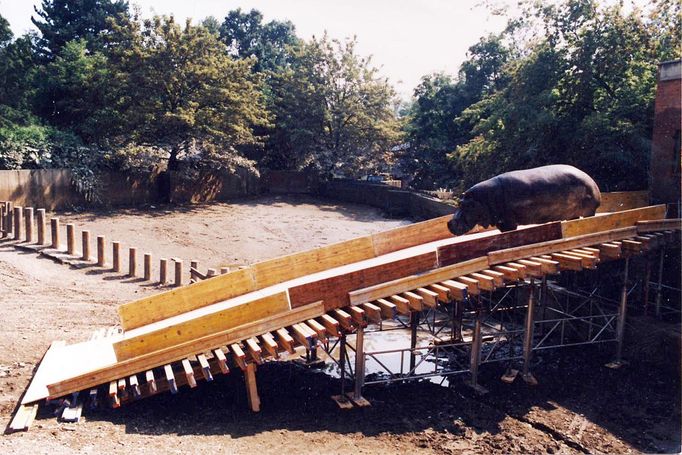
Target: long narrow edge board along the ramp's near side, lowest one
178, 352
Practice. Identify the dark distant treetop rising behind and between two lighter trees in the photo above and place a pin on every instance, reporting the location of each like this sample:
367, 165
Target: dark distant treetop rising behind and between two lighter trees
246, 36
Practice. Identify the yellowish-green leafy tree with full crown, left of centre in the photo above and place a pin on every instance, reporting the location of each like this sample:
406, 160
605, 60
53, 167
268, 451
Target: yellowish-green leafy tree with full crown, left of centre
180, 91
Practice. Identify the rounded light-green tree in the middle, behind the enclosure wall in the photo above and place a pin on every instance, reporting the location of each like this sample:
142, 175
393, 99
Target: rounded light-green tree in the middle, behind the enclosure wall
331, 110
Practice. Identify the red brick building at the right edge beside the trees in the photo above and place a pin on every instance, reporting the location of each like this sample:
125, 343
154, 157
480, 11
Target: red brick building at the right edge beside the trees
666, 177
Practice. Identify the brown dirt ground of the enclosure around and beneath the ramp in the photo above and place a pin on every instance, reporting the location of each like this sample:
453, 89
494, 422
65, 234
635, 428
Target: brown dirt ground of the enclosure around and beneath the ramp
578, 407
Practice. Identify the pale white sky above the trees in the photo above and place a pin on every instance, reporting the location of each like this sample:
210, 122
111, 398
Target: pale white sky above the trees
406, 38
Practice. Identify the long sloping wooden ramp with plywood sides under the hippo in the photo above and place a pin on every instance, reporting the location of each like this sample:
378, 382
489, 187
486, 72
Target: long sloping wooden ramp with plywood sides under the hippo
240, 319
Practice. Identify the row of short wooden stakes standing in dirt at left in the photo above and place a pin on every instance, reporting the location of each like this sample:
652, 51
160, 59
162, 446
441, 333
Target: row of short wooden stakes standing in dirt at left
21, 223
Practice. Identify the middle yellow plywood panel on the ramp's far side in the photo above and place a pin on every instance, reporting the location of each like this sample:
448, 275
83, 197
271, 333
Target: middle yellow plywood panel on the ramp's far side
297, 265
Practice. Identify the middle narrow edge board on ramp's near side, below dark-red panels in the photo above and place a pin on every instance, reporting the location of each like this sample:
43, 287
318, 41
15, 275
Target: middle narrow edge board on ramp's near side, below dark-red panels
411, 282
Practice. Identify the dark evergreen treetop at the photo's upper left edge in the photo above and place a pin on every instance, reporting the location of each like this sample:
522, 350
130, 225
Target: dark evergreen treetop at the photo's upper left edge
62, 21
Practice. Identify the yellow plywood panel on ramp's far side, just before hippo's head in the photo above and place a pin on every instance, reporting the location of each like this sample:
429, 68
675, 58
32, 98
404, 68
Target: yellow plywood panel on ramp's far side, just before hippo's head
411, 235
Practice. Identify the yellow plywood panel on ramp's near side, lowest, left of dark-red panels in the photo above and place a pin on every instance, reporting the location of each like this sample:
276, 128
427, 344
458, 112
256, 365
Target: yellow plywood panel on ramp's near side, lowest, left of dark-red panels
186, 331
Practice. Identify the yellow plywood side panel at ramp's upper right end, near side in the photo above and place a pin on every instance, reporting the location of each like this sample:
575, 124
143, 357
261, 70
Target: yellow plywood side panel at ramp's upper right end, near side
617, 220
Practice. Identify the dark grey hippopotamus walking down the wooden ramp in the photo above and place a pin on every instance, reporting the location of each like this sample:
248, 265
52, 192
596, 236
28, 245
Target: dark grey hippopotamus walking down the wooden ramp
529, 196
